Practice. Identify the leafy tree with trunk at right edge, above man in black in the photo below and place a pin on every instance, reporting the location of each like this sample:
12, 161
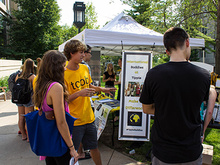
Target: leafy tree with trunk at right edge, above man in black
198, 17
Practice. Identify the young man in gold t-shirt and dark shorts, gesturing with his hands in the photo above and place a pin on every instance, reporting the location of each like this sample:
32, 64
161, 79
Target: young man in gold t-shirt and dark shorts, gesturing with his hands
78, 82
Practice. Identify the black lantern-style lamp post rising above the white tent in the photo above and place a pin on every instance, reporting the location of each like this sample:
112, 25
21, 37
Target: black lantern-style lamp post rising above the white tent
79, 15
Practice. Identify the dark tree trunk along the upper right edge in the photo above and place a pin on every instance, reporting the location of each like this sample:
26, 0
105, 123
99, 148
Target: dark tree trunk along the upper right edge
217, 57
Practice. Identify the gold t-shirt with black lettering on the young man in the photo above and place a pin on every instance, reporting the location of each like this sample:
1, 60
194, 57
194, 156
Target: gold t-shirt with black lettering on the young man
80, 108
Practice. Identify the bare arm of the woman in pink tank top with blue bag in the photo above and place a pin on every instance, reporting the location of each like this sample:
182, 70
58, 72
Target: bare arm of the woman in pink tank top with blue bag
56, 95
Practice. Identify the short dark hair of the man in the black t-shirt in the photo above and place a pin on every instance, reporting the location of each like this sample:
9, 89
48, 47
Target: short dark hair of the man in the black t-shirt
174, 37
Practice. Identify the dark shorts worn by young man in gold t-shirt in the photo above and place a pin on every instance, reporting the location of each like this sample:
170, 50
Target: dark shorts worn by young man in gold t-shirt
86, 134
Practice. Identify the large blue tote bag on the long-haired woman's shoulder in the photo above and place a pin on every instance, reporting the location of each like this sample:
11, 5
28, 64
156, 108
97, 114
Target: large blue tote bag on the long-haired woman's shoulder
44, 136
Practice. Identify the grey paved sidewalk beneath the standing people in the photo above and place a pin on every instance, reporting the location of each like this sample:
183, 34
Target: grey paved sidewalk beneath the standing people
14, 151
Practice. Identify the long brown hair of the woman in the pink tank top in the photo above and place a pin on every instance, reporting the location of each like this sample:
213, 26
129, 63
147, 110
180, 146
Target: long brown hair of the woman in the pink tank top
51, 69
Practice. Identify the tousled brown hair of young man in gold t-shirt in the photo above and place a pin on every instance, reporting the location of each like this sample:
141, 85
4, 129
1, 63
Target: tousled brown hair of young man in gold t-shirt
73, 46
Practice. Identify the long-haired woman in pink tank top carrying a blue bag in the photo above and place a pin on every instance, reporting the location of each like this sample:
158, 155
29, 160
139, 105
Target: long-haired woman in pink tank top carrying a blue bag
50, 88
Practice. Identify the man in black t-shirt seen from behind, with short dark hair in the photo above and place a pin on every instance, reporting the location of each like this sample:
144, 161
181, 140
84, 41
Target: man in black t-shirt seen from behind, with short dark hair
173, 92
